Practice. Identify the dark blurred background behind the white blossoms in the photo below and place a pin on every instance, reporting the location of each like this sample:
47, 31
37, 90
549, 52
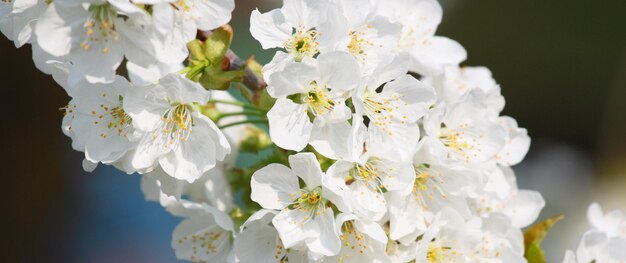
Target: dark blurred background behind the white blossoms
561, 65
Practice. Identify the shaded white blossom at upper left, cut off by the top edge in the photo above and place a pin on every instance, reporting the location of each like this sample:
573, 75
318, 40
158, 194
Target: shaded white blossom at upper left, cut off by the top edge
94, 37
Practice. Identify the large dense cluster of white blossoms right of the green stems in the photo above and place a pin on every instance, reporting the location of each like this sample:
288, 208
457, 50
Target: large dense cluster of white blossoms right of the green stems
420, 158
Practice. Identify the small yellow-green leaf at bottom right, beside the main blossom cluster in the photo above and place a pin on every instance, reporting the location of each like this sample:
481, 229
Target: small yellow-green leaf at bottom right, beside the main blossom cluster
533, 238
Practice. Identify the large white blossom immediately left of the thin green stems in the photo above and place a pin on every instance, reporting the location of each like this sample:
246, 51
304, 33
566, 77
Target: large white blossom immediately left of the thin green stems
185, 143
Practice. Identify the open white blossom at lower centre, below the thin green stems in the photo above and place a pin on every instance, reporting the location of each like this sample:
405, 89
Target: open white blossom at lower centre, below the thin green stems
304, 217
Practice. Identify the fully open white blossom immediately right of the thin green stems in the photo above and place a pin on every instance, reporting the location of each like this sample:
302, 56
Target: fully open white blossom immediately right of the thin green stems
310, 105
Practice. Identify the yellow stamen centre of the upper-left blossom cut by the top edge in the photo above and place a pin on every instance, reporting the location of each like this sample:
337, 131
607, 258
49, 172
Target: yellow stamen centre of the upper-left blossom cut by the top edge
100, 27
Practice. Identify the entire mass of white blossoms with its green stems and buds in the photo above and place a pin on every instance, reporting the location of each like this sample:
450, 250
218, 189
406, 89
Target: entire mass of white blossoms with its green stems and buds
373, 144
